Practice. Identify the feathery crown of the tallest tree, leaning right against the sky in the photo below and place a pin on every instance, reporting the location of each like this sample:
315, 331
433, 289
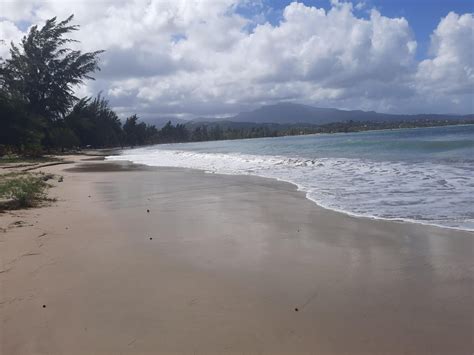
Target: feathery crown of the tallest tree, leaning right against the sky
43, 71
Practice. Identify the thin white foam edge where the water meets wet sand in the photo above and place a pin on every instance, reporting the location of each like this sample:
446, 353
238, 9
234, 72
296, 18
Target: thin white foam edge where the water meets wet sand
302, 189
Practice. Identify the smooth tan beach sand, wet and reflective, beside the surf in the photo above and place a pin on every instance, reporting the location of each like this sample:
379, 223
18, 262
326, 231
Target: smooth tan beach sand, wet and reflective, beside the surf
223, 264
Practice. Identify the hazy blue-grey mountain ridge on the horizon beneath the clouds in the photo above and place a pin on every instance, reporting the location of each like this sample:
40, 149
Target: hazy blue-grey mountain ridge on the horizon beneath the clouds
290, 113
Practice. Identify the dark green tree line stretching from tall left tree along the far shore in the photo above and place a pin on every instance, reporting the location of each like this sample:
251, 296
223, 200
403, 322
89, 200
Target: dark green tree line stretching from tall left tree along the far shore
39, 111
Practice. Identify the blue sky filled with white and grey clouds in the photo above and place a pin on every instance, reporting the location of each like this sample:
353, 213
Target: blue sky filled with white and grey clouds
191, 58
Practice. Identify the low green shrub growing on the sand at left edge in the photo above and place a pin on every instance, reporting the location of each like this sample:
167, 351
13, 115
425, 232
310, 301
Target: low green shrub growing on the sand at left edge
24, 190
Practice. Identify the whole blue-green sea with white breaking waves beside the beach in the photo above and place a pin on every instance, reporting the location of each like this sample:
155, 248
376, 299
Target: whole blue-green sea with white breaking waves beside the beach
423, 175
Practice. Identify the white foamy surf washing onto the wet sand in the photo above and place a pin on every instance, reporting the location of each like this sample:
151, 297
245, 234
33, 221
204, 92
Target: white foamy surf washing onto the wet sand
426, 192
